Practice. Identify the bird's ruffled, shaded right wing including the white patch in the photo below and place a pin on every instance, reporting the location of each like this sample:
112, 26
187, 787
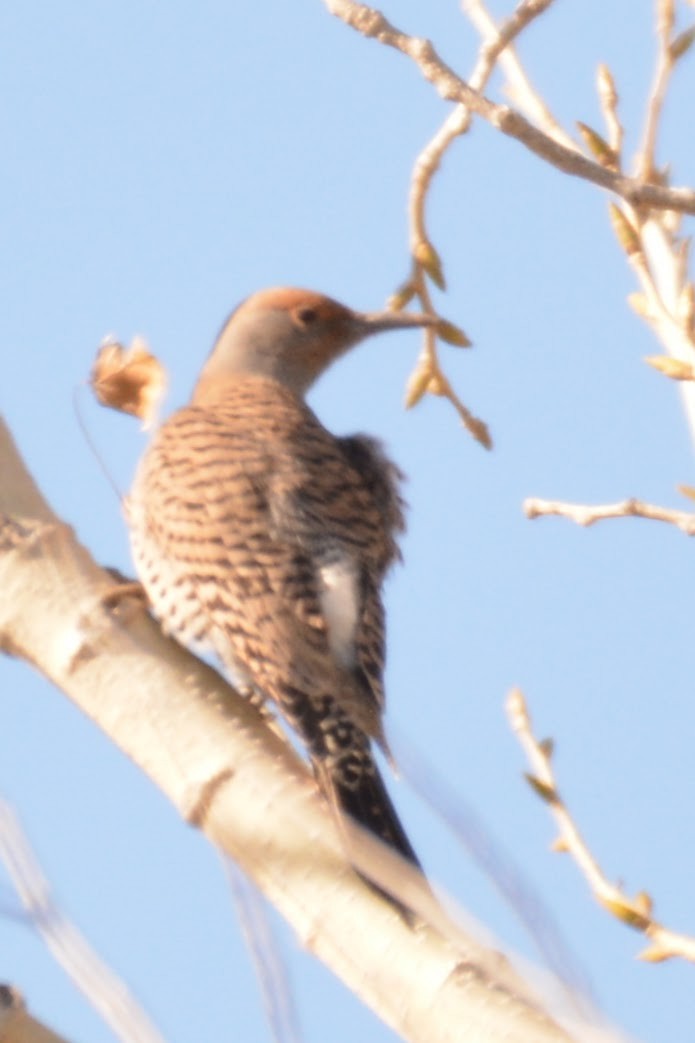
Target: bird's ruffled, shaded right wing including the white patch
340, 501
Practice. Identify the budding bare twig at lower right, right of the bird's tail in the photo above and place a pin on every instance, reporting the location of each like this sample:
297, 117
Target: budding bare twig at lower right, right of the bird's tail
635, 912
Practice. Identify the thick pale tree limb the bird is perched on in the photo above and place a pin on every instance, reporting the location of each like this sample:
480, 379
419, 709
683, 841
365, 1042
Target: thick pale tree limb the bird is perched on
211, 754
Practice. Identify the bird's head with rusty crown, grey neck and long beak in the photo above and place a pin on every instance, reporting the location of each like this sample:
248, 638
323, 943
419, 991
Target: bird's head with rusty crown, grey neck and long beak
292, 336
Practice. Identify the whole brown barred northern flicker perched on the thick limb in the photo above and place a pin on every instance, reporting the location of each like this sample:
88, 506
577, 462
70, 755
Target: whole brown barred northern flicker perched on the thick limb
262, 538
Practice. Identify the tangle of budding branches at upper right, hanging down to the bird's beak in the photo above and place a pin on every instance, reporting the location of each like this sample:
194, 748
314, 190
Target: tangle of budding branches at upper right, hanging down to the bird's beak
648, 222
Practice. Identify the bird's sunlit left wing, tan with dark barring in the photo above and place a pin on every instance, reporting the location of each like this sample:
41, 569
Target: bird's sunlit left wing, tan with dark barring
204, 536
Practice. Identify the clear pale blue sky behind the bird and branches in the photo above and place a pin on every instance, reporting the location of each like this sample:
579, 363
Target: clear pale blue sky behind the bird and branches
161, 161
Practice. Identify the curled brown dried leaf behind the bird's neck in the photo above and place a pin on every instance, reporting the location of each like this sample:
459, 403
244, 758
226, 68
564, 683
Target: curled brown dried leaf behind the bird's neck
129, 380
